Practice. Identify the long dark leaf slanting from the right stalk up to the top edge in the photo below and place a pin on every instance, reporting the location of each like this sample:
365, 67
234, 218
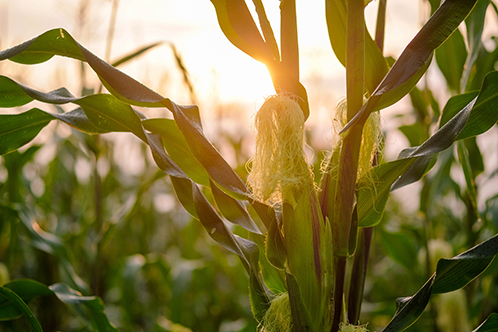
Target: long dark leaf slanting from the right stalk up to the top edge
415, 58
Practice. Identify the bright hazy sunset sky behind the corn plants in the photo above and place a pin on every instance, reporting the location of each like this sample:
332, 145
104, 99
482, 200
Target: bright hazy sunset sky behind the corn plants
220, 72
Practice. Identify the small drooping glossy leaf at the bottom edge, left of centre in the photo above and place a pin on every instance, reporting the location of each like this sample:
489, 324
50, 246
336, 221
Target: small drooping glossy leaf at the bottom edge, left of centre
94, 304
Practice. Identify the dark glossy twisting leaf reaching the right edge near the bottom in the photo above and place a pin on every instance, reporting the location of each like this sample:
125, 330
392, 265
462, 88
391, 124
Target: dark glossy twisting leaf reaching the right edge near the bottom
451, 274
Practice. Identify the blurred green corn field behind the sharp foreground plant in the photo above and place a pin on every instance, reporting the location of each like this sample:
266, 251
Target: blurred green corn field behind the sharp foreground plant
116, 226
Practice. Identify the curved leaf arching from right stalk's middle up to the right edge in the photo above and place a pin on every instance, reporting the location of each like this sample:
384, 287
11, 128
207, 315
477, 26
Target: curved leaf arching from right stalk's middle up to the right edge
464, 116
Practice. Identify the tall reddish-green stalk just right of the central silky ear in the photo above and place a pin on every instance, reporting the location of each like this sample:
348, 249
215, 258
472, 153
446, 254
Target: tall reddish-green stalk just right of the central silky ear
348, 166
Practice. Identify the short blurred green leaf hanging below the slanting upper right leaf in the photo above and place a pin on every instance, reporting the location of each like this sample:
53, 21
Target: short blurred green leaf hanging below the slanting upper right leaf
450, 58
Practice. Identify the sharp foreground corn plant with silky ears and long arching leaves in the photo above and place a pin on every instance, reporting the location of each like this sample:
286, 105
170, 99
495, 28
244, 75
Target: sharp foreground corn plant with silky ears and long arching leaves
293, 233
